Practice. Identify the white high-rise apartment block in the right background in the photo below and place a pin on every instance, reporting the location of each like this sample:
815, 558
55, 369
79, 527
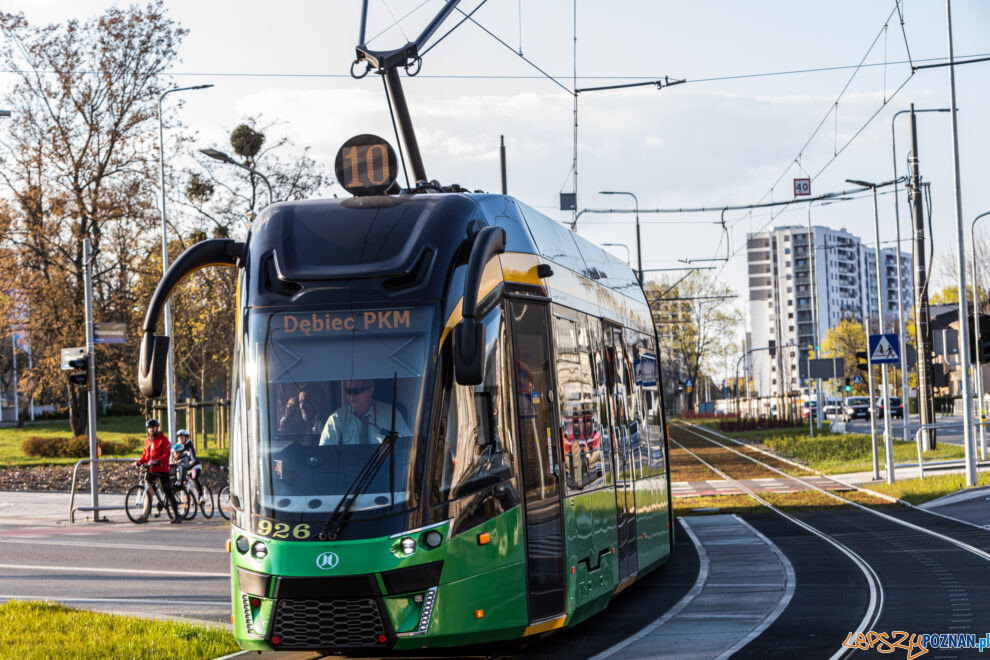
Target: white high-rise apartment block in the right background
794, 284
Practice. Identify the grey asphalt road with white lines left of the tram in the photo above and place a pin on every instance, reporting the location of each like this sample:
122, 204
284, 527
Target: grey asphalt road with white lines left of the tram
155, 569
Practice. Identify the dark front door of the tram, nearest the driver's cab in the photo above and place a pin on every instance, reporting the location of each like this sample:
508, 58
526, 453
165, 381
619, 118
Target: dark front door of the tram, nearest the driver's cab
540, 451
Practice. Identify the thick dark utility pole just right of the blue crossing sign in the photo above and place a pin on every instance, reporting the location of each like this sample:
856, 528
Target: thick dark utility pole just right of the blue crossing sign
926, 402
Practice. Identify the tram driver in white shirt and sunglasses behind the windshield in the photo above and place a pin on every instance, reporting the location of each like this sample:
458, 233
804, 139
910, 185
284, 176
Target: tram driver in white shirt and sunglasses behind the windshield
363, 419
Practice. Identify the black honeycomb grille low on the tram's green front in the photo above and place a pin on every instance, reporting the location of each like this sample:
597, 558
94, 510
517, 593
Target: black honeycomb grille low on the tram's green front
324, 624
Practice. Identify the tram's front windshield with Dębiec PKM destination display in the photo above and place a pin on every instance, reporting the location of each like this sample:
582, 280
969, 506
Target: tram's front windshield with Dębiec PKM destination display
331, 388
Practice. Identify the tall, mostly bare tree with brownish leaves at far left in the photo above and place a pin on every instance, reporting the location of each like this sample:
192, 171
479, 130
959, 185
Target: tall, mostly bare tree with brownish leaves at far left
81, 163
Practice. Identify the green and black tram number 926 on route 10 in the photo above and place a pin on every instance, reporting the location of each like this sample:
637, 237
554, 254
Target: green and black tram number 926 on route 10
447, 424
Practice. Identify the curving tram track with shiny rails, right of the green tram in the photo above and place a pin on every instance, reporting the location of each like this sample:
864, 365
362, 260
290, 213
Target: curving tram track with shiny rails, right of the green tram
920, 566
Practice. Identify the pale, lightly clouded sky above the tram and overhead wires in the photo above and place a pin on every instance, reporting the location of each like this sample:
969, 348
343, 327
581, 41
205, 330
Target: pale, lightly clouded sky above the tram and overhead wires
719, 139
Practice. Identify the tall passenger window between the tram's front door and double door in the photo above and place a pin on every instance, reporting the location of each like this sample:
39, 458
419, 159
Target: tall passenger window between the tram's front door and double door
581, 434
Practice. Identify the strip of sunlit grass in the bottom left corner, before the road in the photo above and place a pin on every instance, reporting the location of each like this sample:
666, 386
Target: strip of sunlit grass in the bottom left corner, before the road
31, 630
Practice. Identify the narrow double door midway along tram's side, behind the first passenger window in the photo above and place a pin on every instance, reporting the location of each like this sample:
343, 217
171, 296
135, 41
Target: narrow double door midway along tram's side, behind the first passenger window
625, 503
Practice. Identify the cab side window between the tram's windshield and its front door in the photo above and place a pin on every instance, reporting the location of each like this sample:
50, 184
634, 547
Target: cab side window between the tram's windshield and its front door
476, 450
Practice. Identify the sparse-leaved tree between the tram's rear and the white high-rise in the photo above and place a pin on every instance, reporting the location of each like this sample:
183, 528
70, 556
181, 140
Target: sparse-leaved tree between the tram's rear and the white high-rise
695, 327
